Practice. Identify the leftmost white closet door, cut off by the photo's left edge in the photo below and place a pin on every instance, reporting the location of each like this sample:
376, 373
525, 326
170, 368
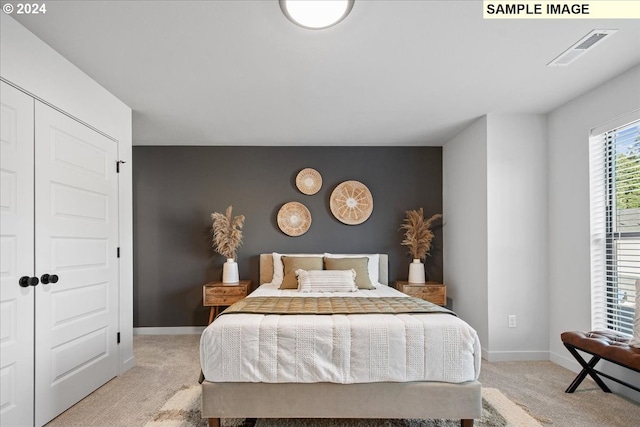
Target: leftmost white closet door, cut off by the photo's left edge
16, 257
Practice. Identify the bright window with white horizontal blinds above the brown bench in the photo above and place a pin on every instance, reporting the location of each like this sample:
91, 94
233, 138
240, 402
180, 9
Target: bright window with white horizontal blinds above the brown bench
615, 225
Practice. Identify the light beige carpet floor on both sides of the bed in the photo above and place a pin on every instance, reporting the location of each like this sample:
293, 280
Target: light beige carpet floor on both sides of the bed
166, 364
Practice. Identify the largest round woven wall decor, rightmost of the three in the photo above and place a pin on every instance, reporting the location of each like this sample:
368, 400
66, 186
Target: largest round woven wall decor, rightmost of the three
351, 202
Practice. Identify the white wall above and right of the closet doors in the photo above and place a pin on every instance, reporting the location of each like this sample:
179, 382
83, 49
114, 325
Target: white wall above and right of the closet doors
30, 64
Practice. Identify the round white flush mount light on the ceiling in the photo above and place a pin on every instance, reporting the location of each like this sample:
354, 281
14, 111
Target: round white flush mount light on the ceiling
316, 14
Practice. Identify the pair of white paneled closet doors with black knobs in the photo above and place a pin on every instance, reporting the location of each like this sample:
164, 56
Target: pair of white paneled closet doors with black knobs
59, 265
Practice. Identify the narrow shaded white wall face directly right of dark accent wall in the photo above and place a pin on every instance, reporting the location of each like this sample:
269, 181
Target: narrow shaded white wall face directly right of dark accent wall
464, 197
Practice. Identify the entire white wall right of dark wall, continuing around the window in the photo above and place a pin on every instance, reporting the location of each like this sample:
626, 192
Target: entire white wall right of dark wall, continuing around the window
516, 233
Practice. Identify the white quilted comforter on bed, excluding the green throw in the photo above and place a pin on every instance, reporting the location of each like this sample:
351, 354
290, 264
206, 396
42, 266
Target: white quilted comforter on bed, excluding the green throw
356, 348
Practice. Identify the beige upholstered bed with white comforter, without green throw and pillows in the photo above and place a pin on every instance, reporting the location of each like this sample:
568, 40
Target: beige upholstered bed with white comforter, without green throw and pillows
244, 376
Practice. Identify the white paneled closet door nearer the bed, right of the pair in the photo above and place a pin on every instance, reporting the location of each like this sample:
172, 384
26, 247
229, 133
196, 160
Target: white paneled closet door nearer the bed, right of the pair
76, 229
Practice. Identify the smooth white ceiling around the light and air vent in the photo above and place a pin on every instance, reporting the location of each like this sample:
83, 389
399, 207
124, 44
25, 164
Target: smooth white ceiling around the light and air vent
392, 73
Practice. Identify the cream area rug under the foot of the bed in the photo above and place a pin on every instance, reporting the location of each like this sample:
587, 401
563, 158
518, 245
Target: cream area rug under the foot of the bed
183, 410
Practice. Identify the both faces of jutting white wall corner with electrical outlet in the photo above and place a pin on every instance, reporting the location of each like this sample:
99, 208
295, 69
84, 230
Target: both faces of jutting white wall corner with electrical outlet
495, 227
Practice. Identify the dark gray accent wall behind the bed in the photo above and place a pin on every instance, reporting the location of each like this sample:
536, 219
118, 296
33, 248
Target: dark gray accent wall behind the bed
176, 189
